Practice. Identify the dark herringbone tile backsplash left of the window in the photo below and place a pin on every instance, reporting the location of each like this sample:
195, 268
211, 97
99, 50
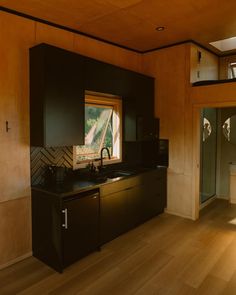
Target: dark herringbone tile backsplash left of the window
41, 157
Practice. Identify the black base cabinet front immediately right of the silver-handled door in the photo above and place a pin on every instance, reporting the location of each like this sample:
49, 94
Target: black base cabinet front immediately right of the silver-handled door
113, 215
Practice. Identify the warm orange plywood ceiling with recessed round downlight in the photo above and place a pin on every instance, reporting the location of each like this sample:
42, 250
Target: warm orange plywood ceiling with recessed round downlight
132, 23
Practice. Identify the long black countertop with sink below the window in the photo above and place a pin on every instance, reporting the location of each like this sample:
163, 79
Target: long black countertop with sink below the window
79, 183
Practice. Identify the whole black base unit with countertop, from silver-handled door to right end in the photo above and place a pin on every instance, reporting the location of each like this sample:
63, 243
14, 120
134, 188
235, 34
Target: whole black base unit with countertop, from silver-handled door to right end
69, 222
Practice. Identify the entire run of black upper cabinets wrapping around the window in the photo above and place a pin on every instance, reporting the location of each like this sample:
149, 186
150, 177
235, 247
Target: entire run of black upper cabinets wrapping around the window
58, 81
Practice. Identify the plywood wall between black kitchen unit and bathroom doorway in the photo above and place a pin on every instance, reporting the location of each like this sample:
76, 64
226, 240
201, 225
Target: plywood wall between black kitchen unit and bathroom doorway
171, 67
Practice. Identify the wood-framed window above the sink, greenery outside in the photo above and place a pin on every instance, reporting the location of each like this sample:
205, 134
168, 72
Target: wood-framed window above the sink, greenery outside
103, 117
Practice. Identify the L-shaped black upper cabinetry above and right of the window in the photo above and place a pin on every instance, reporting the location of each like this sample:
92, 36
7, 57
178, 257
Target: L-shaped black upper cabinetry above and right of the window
136, 91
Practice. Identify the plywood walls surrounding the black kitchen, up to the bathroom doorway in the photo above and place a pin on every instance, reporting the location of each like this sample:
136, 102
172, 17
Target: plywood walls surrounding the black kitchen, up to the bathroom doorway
170, 66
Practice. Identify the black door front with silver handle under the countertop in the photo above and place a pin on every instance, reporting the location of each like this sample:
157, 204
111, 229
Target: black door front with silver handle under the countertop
81, 227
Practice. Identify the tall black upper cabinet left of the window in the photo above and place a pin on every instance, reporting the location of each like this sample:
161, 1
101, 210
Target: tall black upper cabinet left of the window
56, 97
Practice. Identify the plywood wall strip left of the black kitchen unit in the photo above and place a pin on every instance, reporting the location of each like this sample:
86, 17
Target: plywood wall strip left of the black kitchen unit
16, 37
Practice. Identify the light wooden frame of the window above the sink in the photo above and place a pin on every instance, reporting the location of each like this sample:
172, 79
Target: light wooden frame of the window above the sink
106, 100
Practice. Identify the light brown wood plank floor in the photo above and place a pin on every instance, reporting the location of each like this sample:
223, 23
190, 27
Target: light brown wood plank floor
167, 255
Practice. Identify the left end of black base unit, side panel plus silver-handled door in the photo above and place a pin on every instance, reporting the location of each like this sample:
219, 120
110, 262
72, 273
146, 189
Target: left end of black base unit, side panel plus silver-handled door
64, 229
